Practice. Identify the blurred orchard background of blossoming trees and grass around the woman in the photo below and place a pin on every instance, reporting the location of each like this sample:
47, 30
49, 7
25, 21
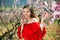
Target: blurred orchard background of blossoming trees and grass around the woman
10, 15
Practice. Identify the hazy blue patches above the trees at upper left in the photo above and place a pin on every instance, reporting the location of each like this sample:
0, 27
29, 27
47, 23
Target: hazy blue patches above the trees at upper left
9, 3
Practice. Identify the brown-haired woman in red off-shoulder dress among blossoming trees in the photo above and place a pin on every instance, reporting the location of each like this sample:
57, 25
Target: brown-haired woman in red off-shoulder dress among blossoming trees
31, 30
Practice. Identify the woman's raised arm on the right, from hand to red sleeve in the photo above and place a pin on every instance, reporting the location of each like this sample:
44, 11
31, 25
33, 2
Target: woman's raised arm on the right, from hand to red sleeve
43, 25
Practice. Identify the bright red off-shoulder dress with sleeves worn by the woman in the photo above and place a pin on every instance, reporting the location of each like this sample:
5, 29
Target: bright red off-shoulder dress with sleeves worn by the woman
31, 31
